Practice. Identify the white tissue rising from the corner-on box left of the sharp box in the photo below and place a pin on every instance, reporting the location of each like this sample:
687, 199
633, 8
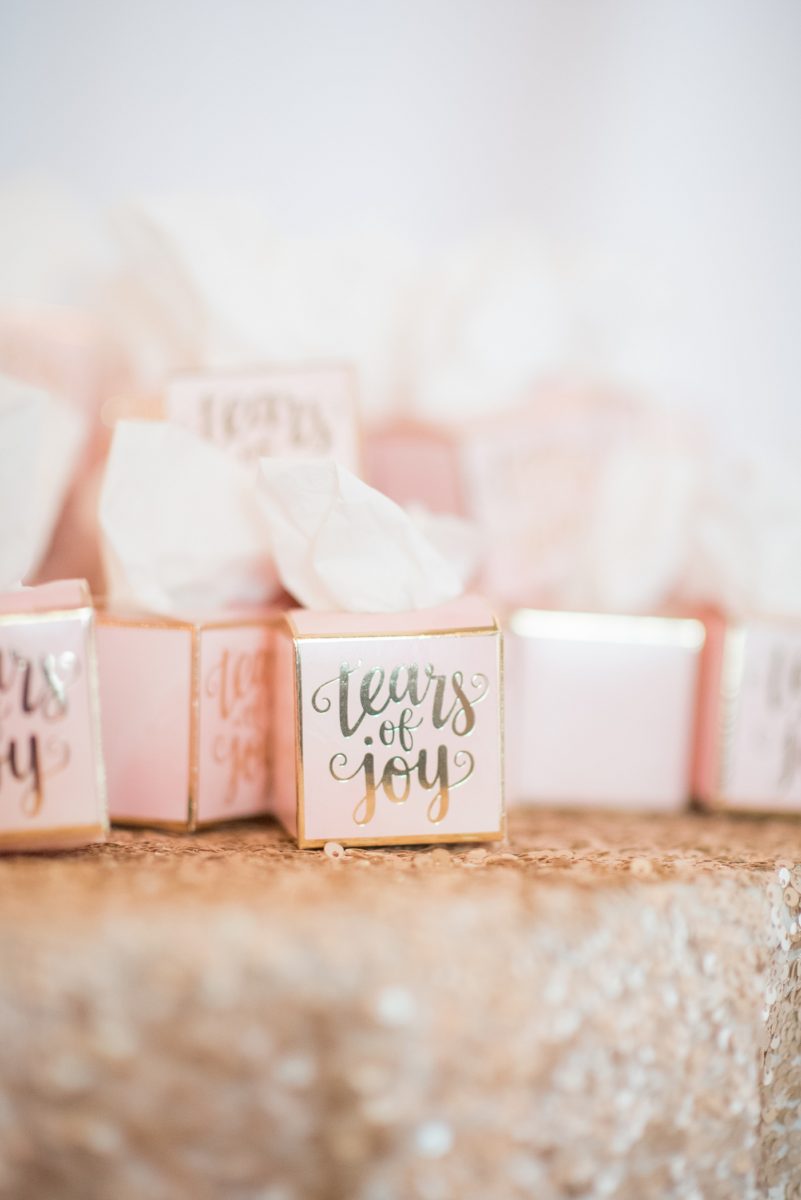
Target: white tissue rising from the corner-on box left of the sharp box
183, 530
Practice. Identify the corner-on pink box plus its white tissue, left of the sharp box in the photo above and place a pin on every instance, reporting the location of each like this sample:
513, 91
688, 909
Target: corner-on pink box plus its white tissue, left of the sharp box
185, 643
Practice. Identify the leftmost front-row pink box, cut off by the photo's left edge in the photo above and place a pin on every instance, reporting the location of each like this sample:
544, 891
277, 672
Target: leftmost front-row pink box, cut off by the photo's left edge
52, 788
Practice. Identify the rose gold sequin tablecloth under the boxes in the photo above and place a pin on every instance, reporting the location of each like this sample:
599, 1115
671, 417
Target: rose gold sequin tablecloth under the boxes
604, 1007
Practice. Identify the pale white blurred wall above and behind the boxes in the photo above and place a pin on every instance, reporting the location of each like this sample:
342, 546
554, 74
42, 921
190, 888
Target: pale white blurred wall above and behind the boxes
649, 152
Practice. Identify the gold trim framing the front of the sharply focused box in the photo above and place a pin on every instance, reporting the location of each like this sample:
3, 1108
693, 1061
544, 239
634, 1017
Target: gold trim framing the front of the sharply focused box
403, 839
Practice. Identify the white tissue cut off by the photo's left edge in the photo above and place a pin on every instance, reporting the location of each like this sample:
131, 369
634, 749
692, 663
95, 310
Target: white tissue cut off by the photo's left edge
41, 439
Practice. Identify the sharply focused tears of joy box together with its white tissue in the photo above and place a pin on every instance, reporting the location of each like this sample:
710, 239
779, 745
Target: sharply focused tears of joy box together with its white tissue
389, 723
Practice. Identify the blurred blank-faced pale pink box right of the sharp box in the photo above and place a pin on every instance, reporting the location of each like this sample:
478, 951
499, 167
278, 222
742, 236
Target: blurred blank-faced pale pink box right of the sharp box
601, 710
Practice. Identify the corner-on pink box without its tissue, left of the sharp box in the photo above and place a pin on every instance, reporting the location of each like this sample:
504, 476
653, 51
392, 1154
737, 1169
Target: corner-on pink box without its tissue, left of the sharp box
186, 718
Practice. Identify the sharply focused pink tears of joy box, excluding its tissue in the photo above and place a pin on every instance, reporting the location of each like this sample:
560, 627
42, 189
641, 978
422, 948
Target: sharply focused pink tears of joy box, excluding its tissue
392, 728
